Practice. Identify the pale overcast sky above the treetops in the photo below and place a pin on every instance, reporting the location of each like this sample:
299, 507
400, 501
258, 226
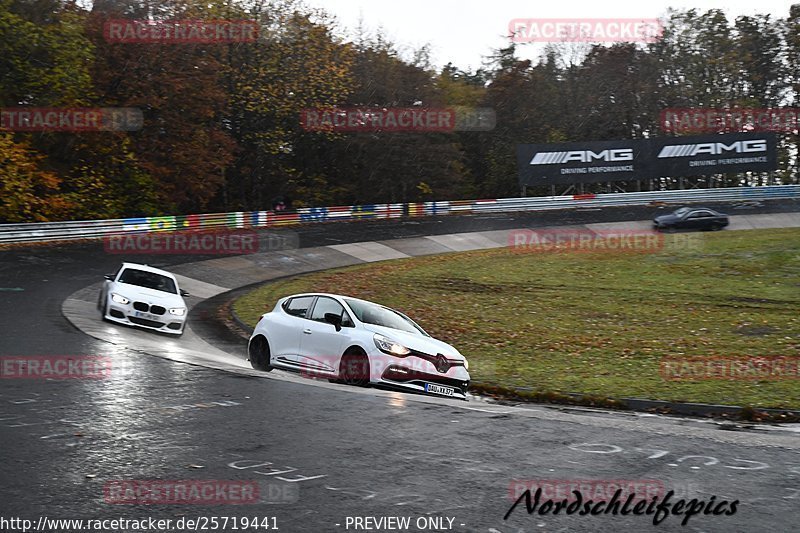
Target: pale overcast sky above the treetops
463, 31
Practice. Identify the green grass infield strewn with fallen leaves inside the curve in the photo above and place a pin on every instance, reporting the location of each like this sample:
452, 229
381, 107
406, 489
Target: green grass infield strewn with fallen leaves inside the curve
595, 323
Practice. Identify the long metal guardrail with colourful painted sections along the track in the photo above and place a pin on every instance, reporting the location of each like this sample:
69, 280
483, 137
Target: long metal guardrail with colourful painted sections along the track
72, 230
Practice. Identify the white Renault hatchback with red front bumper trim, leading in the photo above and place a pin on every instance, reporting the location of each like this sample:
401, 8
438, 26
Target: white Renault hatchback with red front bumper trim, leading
356, 342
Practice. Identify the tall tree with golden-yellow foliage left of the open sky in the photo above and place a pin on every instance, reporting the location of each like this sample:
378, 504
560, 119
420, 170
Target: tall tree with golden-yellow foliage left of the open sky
298, 64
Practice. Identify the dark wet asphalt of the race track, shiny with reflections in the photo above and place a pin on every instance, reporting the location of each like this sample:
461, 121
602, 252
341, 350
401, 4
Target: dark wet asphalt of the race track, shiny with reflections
323, 458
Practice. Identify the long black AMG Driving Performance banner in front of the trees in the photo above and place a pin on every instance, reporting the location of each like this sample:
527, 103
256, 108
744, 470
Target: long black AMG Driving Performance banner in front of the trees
566, 163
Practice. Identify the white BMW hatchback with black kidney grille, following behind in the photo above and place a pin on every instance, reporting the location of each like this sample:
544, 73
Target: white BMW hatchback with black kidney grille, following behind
143, 296
